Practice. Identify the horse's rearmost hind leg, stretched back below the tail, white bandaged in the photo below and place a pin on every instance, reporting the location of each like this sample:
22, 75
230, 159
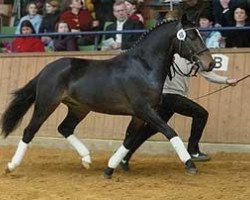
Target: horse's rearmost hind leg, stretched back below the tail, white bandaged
40, 114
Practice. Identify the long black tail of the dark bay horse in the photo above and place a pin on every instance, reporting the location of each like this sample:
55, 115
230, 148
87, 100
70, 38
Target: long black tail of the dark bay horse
22, 101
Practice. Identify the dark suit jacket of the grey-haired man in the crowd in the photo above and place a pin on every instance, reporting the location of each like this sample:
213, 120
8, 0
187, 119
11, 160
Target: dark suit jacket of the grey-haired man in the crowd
127, 39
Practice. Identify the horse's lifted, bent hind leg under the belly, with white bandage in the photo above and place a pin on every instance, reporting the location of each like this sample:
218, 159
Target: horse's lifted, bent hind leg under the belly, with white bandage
67, 127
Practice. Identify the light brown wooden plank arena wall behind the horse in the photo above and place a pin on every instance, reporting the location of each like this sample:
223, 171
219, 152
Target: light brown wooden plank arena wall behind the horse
229, 110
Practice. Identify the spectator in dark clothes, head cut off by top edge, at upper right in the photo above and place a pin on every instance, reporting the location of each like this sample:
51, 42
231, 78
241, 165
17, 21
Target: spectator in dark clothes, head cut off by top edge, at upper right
223, 12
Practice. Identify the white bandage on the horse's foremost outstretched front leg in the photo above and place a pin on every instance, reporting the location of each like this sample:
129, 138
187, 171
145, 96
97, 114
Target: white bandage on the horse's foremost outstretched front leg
180, 149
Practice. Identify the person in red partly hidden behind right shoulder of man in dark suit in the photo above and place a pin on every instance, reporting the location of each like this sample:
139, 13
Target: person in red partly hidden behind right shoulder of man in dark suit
133, 13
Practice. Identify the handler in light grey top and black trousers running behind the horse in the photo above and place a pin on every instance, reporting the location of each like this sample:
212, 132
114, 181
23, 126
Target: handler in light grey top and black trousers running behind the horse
174, 100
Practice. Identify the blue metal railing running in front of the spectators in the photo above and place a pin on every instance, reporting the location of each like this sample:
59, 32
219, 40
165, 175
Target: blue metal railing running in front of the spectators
98, 34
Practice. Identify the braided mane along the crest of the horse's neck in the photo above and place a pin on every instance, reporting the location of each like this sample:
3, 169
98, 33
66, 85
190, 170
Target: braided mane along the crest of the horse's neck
148, 32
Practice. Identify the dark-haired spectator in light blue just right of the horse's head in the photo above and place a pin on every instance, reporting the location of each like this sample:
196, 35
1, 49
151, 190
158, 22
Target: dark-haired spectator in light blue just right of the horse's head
213, 39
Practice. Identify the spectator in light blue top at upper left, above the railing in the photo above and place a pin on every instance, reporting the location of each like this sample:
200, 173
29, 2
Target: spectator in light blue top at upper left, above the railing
32, 16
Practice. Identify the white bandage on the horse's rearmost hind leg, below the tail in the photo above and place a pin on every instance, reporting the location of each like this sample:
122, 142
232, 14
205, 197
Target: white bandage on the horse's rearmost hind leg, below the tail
18, 157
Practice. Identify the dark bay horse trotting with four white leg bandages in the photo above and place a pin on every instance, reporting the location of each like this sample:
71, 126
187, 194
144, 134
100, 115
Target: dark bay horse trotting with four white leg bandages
128, 84
